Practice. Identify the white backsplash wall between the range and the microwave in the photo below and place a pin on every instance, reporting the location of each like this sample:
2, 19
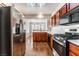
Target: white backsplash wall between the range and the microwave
62, 29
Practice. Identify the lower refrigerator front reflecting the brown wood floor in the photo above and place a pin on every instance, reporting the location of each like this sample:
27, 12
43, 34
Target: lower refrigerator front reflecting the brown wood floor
18, 49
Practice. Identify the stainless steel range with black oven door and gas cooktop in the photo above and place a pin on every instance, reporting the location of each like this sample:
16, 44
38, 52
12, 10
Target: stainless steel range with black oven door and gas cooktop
60, 44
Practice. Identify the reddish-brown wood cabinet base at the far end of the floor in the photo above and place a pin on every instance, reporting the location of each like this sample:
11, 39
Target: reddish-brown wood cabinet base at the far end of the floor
40, 37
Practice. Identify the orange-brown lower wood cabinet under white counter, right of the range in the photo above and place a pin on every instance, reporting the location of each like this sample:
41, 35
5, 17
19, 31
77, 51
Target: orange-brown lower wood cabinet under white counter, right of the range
73, 50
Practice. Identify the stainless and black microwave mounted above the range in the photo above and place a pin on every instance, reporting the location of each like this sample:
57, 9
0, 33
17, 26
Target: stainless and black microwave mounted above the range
69, 19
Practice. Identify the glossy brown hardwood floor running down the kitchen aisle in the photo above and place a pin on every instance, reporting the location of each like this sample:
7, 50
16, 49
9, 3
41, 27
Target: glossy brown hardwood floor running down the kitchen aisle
37, 48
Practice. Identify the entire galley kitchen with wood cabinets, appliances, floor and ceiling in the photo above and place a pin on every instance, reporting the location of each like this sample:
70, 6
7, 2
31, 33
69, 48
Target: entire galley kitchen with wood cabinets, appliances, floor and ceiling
39, 29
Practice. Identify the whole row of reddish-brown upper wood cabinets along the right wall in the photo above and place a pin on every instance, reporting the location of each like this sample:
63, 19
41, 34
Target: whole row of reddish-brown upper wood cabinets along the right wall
55, 20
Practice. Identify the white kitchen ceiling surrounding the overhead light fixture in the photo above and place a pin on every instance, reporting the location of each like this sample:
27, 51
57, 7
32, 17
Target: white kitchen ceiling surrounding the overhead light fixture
25, 8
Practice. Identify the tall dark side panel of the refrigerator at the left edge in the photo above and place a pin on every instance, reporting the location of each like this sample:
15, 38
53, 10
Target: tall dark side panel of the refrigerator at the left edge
5, 31
